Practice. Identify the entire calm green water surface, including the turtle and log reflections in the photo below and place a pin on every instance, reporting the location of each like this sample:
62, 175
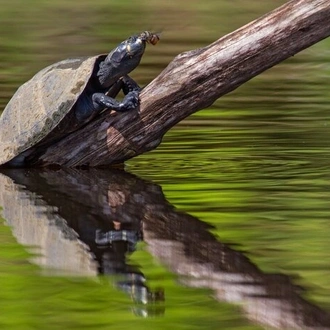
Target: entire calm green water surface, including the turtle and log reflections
224, 226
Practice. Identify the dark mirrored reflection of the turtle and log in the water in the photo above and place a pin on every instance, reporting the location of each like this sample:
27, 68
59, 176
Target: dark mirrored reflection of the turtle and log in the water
89, 220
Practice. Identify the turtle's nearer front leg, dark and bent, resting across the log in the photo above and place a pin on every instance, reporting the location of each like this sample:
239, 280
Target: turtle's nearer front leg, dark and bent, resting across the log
130, 102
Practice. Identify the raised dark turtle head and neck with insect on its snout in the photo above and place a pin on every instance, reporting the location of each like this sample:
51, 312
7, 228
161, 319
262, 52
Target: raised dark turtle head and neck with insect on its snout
124, 58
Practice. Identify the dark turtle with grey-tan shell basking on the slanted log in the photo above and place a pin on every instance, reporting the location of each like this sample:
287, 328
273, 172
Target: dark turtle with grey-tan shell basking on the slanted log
65, 96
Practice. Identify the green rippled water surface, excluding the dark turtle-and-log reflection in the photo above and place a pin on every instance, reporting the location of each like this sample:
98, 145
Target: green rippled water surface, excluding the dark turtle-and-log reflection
255, 166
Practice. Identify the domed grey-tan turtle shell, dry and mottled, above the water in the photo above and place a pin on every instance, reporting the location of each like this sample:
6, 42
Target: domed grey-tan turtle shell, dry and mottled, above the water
40, 104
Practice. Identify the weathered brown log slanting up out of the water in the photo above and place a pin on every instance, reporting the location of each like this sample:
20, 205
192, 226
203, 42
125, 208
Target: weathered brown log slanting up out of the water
193, 81
